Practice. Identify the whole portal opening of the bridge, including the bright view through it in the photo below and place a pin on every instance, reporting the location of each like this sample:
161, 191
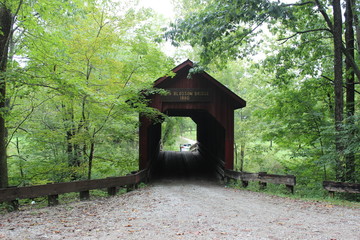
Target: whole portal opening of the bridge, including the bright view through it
205, 139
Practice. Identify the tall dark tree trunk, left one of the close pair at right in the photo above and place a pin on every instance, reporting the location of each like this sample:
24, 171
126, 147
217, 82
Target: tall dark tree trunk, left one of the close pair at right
338, 85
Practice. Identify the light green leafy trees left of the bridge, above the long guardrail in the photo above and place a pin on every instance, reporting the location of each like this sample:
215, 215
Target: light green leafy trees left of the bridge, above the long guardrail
75, 91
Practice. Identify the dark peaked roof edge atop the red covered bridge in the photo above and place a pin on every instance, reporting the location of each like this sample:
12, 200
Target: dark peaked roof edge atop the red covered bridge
237, 101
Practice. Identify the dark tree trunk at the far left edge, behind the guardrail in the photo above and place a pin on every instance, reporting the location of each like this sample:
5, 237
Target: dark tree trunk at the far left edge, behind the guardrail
5, 25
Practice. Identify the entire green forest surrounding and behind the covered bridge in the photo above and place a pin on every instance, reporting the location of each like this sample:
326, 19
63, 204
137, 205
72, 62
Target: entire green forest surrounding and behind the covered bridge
71, 73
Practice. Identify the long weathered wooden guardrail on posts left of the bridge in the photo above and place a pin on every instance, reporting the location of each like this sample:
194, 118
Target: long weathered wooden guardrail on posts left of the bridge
13, 194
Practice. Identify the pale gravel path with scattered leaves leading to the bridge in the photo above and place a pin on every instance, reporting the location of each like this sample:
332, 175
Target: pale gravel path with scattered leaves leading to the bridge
185, 210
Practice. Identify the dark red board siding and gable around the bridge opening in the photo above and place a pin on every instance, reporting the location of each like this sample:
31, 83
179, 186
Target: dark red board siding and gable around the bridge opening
214, 118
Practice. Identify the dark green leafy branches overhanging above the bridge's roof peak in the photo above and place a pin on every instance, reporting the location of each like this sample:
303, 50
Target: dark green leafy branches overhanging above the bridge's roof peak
224, 29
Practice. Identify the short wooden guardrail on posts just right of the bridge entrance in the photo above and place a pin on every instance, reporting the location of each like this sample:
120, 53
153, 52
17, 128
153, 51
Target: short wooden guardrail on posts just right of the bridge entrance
288, 180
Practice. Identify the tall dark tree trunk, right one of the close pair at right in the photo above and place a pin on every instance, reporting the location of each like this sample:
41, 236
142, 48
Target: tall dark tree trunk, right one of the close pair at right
350, 88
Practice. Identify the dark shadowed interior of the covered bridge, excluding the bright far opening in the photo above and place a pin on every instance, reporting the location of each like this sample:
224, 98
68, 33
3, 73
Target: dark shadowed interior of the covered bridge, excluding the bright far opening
203, 162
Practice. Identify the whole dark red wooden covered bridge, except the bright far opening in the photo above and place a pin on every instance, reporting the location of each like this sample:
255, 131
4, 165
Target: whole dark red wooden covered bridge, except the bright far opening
209, 104
